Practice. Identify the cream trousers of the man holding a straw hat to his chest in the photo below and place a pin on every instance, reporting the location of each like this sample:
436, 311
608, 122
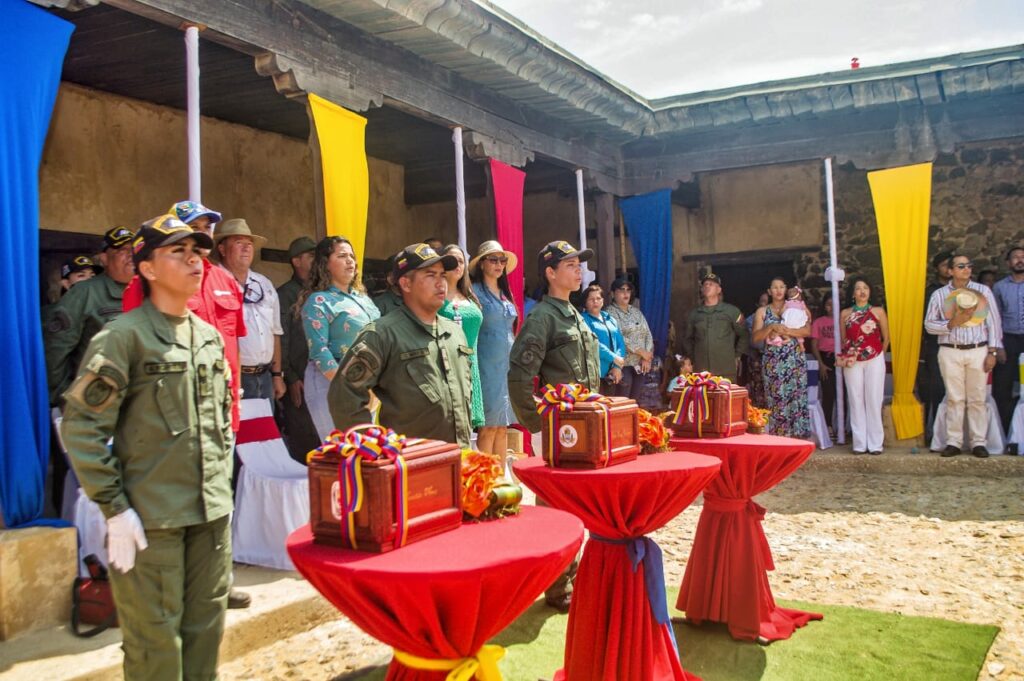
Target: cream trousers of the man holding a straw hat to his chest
965, 377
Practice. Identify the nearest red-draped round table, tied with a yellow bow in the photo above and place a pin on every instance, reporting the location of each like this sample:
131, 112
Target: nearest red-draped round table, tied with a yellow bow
444, 598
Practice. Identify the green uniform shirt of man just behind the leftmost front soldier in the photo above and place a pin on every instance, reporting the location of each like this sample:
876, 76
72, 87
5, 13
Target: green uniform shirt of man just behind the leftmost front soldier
71, 324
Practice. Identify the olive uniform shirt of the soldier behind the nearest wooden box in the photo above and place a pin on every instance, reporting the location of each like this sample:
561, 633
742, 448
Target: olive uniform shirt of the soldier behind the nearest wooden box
421, 374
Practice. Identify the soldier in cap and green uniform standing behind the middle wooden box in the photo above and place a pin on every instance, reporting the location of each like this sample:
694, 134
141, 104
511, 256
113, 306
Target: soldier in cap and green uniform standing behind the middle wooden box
557, 347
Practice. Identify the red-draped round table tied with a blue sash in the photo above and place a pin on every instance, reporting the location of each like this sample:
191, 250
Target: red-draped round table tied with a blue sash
613, 632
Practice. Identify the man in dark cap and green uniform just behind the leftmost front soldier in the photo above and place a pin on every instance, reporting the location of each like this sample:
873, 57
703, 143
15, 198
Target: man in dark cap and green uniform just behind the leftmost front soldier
73, 322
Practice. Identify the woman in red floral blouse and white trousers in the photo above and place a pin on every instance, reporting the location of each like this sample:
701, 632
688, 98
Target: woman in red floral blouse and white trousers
866, 339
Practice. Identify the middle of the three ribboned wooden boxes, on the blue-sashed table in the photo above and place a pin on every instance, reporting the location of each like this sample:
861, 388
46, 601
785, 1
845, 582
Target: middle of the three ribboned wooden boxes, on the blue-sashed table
584, 430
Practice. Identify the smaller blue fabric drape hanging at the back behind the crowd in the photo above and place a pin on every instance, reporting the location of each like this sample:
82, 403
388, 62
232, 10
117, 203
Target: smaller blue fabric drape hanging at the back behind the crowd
649, 219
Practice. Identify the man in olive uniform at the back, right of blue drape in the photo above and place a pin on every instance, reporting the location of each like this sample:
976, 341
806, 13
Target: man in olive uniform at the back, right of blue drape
716, 335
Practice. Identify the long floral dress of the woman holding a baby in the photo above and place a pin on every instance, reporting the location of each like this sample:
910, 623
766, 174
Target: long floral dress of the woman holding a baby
785, 372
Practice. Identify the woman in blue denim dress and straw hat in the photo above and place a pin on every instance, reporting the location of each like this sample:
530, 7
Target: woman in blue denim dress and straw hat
490, 272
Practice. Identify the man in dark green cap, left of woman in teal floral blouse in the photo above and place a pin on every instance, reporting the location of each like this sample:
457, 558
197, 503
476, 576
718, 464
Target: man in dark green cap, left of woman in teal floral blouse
300, 430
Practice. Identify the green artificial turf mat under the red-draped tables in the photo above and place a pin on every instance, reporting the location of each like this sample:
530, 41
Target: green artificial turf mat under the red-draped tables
849, 645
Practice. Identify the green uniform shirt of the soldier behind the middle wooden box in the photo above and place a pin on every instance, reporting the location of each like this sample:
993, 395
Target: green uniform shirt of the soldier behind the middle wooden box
557, 347
